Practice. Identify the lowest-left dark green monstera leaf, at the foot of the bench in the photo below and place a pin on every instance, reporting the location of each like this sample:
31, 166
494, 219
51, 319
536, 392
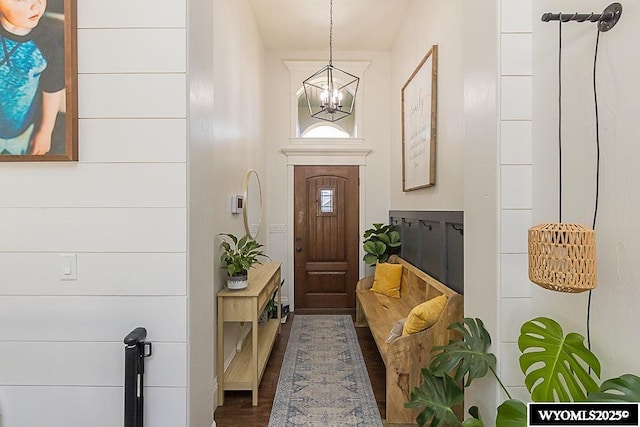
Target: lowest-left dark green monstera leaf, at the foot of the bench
438, 395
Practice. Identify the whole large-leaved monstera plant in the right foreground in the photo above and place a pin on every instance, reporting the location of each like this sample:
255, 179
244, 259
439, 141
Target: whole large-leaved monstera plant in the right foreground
556, 367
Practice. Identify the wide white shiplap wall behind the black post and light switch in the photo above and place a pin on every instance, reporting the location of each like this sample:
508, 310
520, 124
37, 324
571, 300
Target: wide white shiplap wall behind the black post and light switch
122, 209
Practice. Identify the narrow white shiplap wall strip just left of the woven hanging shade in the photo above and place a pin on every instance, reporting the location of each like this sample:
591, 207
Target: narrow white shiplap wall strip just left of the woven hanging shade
516, 105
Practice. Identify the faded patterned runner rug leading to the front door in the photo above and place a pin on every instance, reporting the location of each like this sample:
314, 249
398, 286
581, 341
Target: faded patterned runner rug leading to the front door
323, 379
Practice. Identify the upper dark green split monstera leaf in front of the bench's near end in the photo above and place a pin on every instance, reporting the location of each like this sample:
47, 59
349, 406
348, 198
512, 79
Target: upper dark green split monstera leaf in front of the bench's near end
468, 356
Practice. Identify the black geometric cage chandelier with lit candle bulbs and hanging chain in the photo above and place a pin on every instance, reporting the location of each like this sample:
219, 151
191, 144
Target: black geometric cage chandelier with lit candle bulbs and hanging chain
331, 92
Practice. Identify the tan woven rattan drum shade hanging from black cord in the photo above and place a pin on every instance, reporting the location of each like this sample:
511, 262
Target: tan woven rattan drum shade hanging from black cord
562, 257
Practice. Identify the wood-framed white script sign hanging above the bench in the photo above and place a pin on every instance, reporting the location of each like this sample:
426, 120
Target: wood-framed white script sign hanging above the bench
419, 96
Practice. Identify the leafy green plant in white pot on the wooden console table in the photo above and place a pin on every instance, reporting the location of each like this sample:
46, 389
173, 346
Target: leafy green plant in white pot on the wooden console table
238, 255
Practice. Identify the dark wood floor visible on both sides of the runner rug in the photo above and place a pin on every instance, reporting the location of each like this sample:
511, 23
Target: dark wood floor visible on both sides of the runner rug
237, 409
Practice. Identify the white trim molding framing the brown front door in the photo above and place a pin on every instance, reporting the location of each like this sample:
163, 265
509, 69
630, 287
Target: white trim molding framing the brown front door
321, 156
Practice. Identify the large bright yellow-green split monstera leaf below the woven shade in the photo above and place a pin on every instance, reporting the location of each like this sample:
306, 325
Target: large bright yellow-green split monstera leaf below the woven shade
554, 364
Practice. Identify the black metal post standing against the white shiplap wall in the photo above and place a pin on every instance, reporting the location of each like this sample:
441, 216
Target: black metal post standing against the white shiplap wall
135, 352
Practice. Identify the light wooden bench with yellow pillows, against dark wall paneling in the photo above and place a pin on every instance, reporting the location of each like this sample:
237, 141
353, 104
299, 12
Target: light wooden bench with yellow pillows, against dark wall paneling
407, 355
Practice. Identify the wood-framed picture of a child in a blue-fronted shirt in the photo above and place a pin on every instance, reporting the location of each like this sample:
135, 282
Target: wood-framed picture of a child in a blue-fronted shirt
38, 81
